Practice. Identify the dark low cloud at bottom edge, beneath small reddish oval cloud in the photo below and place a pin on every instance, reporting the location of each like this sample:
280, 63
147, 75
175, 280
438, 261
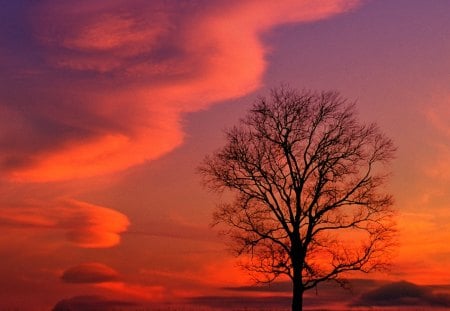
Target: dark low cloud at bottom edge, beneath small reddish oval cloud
93, 303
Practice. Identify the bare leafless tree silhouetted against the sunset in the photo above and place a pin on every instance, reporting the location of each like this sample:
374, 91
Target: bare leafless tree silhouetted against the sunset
308, 183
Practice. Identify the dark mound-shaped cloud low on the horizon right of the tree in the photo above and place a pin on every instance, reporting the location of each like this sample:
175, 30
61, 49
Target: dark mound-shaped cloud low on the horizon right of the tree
403, 294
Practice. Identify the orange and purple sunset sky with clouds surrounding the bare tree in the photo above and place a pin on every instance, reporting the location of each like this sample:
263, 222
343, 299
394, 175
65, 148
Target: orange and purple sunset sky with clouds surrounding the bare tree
108, 107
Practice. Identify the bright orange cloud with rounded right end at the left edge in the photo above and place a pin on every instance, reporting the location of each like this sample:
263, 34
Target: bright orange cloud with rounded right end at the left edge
86, 225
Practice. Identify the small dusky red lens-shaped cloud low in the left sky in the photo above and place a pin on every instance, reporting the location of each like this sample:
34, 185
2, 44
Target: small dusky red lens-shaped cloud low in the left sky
91, 272
